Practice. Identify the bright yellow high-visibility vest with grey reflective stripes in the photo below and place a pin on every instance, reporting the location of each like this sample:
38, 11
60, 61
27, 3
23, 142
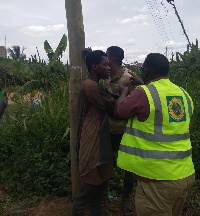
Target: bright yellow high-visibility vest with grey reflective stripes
160, 147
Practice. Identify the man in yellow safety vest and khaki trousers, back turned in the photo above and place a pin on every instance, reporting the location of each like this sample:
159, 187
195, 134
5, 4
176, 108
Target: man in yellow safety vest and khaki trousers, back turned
156, 145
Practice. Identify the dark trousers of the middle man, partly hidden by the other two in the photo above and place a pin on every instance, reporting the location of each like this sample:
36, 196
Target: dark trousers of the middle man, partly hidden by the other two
129, 180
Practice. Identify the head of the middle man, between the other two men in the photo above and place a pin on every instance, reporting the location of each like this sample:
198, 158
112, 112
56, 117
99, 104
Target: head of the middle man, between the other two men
115, 55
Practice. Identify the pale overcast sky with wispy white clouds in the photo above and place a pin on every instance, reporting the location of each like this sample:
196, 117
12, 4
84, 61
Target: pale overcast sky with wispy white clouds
138, 26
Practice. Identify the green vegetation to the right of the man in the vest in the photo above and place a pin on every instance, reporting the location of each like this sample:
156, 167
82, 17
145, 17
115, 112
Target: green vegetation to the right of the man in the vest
188, 78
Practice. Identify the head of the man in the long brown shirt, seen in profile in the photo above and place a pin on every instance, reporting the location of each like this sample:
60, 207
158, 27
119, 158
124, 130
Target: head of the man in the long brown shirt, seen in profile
97, 62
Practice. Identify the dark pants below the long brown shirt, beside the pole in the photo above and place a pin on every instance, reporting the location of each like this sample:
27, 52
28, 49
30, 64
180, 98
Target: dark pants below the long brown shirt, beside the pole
89, 197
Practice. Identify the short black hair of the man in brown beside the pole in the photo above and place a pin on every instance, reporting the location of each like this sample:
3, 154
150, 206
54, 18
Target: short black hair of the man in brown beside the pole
94, 57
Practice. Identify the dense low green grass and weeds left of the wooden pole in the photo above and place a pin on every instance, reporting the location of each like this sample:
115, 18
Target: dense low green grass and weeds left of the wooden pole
34, 146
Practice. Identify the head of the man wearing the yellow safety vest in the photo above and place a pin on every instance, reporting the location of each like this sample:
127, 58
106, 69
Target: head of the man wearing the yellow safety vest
155, 65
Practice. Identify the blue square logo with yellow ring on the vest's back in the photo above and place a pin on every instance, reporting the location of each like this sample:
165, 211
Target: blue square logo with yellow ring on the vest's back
176, 109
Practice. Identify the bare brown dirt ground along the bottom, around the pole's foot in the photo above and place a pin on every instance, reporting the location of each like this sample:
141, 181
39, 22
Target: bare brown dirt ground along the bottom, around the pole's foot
51, 207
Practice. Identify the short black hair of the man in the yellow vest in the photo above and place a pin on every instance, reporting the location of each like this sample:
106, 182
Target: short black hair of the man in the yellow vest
156, 64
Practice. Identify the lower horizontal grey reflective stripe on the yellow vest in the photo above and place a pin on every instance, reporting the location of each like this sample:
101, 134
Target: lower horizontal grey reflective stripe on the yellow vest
156, 154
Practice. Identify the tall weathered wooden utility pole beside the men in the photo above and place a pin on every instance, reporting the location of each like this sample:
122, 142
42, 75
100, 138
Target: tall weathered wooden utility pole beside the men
76, 37
